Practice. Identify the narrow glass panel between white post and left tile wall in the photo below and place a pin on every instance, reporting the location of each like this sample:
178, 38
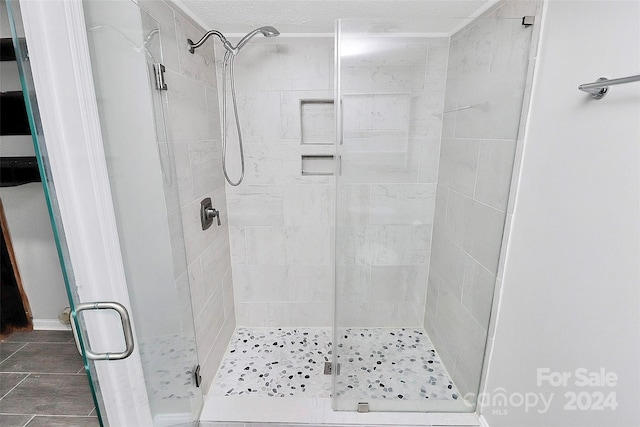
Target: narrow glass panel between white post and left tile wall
126, 57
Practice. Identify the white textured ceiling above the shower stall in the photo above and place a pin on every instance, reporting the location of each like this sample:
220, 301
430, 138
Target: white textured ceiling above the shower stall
318, 16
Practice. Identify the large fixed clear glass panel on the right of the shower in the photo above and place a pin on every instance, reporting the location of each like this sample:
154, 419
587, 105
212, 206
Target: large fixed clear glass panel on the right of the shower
428, 120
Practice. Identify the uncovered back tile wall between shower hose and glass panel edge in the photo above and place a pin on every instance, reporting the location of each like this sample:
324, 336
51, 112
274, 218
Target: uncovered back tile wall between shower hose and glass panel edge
279, 219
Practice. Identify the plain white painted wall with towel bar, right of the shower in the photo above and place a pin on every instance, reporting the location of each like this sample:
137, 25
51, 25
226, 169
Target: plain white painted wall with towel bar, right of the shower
570, 293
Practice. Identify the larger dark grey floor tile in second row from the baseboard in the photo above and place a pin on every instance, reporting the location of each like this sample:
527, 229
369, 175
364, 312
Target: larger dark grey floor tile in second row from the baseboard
49, 358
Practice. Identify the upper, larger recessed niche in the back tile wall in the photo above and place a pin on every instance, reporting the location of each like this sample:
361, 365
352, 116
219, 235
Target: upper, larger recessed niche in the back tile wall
317, 122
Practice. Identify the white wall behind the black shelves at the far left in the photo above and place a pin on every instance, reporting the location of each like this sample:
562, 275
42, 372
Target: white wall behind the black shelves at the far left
28, 219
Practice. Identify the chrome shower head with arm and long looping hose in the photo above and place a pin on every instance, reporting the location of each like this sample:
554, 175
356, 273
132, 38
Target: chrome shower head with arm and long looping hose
229, 56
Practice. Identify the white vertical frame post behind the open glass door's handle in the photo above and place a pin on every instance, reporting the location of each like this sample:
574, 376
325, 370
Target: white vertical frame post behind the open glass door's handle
61, 68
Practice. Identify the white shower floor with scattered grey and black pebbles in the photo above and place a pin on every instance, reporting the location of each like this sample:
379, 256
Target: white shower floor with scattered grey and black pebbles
375, 363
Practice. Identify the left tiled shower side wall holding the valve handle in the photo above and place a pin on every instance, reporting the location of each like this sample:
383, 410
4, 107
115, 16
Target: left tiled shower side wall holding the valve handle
201, 258
